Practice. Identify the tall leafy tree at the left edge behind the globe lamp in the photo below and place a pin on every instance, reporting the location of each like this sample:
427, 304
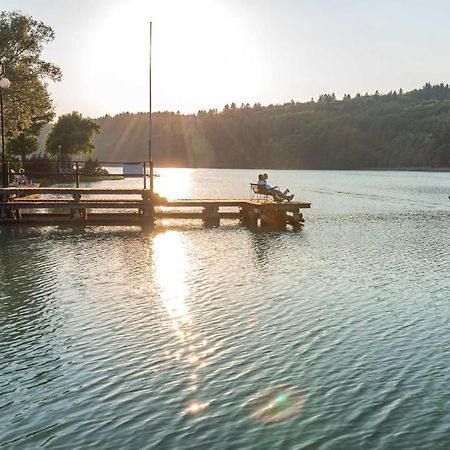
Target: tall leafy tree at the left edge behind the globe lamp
28, 106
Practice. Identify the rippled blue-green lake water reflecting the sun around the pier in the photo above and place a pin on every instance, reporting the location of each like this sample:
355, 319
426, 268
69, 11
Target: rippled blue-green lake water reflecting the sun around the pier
124, 338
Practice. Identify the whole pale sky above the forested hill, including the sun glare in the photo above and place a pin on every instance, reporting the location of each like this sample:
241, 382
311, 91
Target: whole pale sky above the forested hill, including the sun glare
209, 53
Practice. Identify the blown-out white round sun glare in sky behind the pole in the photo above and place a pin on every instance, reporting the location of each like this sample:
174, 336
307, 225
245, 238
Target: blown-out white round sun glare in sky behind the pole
201, 56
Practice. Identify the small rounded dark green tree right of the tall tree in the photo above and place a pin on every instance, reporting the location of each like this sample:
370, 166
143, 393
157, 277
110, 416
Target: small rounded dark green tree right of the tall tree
72, 135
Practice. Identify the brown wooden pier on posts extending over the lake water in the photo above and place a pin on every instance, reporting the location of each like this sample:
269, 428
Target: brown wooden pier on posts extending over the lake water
86, 206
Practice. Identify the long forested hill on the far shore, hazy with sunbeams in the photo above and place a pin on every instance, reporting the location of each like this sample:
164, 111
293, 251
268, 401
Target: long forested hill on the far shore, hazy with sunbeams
409, 129
